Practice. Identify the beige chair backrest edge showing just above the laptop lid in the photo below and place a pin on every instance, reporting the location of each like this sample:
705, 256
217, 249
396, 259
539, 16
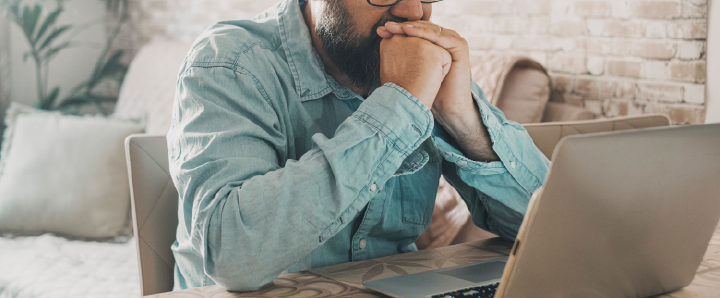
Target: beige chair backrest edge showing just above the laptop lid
547, 135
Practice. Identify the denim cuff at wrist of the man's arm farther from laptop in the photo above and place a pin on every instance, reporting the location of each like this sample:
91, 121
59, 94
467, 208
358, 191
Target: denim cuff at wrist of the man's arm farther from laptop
397, 115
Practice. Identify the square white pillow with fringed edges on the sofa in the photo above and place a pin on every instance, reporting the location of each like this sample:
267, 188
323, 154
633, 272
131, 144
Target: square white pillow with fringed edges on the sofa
64, 174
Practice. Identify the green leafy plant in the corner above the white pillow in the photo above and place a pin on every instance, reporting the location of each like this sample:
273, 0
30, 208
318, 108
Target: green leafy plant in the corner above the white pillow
46, 39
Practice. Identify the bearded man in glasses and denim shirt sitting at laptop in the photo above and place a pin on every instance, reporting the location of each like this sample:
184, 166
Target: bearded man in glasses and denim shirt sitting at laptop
316, 134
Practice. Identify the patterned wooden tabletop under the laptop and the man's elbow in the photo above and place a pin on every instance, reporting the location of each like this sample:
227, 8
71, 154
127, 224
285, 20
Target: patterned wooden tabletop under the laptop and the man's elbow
344, 280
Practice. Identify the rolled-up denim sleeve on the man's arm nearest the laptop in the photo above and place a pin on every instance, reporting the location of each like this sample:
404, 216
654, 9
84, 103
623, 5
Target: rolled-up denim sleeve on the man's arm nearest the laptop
497, 193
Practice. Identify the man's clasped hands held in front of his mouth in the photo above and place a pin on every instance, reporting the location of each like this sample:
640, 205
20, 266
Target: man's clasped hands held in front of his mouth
430, 62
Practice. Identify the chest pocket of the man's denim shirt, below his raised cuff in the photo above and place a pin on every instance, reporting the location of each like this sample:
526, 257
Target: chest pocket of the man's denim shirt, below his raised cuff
418, 190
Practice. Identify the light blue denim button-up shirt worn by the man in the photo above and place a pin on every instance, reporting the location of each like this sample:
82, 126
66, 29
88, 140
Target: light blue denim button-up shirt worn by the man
281, 169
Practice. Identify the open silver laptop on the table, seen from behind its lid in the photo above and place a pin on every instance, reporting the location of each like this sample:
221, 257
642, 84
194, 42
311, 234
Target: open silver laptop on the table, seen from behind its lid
622, 214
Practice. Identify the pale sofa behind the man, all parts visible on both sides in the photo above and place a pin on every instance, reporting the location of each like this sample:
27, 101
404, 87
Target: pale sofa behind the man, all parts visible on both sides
52, 266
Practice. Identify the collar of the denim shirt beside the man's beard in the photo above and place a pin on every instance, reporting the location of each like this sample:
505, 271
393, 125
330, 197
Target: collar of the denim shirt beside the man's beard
311, 80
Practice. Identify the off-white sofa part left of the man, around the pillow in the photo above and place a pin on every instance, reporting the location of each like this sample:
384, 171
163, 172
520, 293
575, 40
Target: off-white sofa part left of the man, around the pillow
55, 267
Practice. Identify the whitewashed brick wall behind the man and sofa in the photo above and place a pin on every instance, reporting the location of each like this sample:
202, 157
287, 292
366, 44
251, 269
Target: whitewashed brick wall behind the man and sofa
613, 57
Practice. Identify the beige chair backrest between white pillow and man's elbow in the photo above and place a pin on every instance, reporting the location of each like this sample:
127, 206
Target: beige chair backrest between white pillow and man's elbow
154, 206
